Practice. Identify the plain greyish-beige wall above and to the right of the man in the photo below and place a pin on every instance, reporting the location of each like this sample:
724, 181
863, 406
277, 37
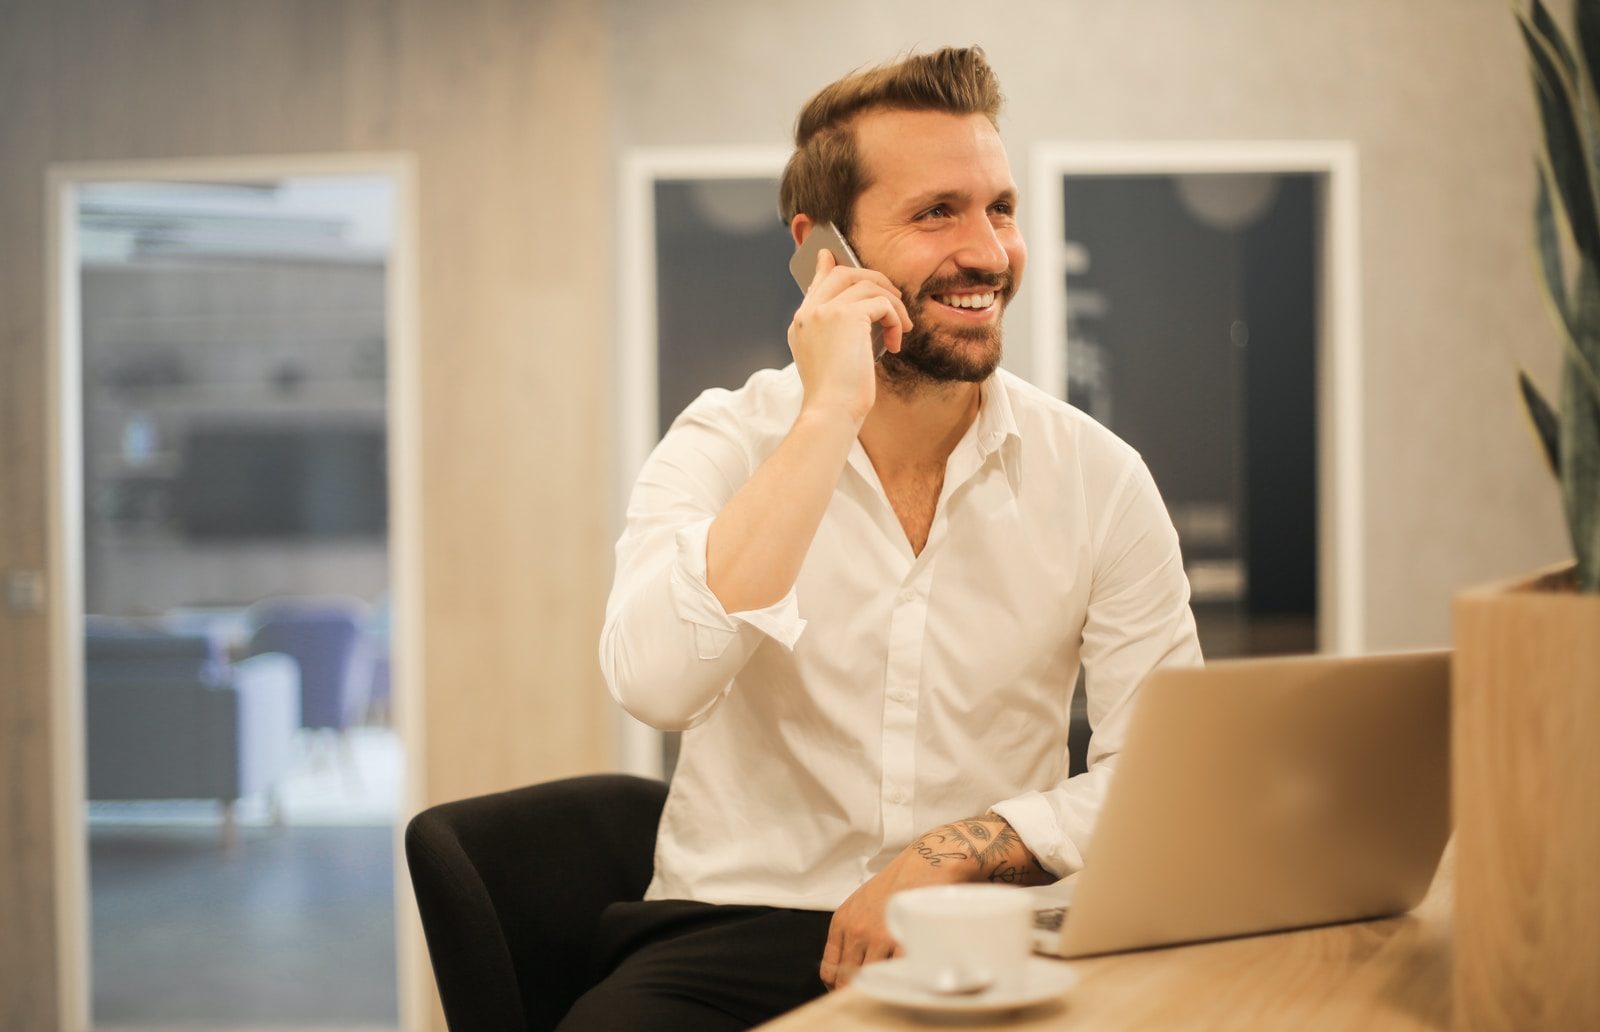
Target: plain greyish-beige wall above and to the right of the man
1433, 94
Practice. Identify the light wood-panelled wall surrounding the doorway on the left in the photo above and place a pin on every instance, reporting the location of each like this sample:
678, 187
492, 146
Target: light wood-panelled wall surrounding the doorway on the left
505, 105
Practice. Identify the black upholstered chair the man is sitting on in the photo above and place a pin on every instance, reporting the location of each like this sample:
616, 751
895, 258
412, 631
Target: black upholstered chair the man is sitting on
511, 889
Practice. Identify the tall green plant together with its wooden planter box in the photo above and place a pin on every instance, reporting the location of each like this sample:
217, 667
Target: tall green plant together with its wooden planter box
1527, 670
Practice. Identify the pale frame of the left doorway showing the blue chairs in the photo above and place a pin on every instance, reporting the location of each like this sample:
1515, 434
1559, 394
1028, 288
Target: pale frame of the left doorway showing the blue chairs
65, 614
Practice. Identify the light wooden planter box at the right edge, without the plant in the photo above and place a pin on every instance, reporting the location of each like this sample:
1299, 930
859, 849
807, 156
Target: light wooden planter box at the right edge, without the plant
1527, 799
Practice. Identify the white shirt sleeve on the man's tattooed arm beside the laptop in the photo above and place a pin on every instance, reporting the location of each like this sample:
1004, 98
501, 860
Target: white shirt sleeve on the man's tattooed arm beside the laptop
1138, 620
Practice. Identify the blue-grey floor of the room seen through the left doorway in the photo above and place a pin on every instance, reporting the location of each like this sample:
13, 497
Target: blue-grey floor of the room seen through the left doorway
294, 926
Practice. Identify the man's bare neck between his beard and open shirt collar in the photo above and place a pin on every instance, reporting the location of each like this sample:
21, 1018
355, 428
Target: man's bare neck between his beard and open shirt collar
918, 431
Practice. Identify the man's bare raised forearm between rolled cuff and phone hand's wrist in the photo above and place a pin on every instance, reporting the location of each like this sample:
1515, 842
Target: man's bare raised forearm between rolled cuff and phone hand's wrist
761, 538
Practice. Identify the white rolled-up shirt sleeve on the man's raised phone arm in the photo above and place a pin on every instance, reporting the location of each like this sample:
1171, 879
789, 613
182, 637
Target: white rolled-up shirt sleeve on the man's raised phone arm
670, 652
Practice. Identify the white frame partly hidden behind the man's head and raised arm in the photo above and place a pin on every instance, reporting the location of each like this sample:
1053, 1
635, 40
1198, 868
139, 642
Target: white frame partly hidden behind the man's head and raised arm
639, 746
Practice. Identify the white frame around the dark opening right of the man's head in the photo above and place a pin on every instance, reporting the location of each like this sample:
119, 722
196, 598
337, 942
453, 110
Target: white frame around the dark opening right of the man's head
1342, 535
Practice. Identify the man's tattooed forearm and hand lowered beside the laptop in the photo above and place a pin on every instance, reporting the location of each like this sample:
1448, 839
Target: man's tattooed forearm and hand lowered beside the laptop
969, 850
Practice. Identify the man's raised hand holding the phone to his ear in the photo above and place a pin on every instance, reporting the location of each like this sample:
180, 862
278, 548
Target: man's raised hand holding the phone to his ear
831, 337
